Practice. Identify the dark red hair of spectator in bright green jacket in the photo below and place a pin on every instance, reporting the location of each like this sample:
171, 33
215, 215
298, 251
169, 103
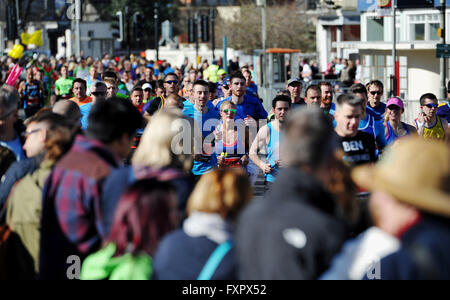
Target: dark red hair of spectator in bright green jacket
142, 217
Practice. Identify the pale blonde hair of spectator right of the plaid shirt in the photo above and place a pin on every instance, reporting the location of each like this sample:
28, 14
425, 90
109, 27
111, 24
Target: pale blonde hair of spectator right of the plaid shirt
156, 147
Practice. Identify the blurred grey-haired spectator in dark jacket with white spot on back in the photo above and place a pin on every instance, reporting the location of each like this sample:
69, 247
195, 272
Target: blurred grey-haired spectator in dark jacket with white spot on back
295, 231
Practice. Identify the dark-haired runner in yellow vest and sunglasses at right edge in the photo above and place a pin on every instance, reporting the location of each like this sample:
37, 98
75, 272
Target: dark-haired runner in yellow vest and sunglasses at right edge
428, 124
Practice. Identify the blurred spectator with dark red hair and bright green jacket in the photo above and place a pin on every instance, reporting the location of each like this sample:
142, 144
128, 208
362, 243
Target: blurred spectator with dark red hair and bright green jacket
145, 213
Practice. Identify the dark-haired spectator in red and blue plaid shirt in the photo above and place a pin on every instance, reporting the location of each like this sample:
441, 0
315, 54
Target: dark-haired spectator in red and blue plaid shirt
71, 222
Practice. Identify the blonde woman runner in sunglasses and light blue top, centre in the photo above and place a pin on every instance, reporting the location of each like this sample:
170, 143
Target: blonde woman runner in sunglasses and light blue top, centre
230, 144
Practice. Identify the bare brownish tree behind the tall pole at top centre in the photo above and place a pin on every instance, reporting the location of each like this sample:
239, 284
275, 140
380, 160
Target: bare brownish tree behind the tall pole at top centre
286, 28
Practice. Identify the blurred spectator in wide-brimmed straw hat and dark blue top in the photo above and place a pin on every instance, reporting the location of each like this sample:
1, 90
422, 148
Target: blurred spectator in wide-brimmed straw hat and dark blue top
411, 201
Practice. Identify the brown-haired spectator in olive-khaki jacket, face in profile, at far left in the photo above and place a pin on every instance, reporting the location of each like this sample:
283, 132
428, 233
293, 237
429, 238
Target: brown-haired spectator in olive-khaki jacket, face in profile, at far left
49, 135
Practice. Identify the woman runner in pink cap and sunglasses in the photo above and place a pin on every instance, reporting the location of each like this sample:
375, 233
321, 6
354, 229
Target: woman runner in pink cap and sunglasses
394, 127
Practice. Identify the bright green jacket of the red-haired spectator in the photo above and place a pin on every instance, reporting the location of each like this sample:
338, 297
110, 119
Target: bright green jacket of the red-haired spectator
102, 265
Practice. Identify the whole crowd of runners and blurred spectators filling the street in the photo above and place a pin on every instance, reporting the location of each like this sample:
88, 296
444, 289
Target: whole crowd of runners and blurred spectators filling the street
142, 170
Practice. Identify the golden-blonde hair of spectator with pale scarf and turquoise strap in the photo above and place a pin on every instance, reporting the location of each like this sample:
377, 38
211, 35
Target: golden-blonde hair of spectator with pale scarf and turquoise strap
222, 191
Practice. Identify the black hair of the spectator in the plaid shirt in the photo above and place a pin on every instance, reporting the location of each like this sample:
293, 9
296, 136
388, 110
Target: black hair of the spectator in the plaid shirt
110, 119
